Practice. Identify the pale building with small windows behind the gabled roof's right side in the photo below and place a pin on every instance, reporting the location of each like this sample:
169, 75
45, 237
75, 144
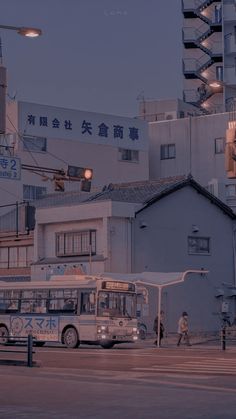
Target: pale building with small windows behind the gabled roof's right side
196, 146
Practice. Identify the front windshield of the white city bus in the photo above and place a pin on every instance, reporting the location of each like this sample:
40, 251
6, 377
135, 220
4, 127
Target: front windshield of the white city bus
116, 304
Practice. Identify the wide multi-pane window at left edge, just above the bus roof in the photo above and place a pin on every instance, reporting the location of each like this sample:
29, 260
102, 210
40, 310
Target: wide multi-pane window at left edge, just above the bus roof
16, 257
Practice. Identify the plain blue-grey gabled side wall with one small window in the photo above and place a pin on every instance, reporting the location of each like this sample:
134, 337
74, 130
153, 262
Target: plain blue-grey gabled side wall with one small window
163, 247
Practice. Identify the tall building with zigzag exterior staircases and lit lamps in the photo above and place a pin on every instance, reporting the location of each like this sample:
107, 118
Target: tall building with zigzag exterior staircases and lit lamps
209, 52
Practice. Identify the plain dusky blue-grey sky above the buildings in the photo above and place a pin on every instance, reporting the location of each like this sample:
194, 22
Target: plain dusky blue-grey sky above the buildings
94, 55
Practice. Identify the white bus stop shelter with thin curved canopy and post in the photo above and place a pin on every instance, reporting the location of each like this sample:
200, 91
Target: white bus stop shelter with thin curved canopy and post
158, 280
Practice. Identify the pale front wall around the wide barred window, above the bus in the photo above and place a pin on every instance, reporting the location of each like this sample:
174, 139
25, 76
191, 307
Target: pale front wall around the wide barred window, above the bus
112, 222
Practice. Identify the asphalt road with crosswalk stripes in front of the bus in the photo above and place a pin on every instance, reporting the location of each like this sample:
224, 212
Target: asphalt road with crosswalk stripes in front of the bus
124, 382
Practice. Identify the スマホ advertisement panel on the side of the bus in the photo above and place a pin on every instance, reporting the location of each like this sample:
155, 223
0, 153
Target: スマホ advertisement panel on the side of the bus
45, 328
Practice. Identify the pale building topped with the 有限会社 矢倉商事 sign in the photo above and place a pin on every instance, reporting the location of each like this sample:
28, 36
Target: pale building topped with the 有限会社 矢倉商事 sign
46, 139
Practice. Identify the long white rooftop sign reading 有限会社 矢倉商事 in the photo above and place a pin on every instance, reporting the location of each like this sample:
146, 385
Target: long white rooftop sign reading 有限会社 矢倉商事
87, 127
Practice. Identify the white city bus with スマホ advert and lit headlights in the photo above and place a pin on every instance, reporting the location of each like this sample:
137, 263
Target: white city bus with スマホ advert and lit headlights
70, 309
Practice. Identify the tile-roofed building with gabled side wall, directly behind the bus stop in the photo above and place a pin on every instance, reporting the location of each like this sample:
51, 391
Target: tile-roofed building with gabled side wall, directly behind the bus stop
168, 225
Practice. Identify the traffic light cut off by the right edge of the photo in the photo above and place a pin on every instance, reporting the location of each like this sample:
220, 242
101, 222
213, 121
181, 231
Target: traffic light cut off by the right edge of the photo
230, 153
